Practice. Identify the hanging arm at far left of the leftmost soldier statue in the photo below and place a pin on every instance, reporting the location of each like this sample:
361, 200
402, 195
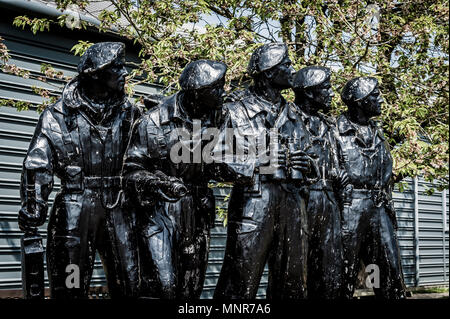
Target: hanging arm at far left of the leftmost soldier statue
36, 180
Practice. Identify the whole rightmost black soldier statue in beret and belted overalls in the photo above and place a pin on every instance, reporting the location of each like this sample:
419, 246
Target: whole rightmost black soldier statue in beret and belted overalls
368, 216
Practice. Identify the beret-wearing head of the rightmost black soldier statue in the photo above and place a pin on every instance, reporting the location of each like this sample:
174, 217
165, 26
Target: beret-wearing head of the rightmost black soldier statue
362, 94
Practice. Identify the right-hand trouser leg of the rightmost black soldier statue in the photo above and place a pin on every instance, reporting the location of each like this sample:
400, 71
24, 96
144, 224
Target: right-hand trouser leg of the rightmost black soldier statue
387, 258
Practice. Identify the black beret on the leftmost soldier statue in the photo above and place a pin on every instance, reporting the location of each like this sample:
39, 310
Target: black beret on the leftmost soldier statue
100, 55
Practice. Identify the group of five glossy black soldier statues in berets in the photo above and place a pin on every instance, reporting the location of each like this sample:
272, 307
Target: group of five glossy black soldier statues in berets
324, 208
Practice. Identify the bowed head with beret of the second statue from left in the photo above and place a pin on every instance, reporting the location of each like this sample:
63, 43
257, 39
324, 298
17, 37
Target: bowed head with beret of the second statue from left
202, 83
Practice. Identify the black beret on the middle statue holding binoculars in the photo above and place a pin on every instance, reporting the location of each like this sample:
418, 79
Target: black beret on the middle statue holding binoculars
266, 57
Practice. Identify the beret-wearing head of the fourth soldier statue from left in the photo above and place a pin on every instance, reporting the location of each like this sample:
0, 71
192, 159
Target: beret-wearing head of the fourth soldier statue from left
312, 84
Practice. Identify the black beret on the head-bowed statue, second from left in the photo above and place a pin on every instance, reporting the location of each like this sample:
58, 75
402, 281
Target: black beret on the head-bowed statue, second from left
202, 73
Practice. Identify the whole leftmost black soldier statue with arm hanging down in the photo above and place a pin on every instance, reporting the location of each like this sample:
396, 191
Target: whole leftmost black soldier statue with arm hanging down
81, 139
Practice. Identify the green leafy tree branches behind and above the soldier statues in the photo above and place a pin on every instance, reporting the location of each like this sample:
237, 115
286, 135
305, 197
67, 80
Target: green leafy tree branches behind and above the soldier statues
405, 44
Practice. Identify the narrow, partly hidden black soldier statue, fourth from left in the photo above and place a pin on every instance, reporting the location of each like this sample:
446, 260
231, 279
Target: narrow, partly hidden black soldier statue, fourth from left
313, 95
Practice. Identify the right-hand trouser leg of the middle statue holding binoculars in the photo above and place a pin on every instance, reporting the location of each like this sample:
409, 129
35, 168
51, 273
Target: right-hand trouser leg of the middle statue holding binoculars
288, 257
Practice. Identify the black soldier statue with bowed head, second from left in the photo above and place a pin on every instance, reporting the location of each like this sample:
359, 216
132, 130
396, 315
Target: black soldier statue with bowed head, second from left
175, 226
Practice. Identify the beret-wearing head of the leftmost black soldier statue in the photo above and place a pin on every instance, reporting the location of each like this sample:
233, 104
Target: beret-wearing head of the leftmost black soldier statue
103, 66
